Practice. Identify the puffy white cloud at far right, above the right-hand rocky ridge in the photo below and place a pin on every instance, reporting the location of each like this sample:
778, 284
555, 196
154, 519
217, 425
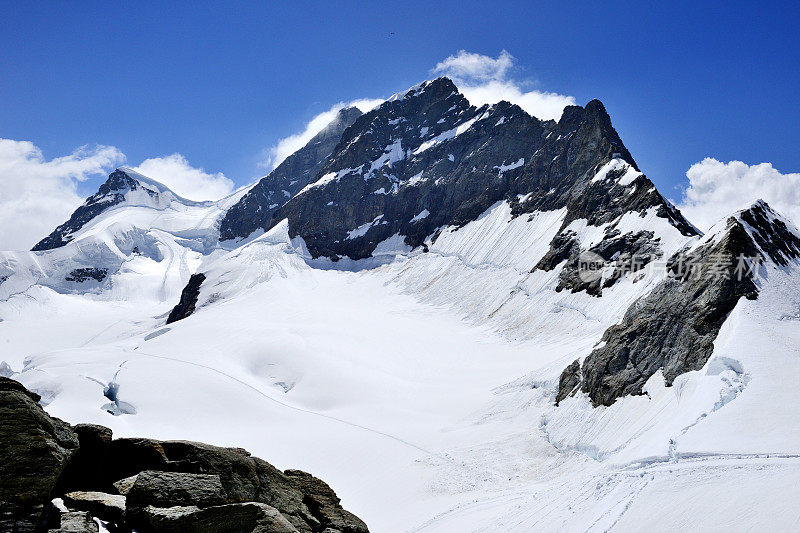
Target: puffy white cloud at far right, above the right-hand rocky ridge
716, 190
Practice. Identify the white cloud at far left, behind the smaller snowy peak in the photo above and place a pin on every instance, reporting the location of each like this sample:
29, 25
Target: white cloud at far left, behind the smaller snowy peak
37, 195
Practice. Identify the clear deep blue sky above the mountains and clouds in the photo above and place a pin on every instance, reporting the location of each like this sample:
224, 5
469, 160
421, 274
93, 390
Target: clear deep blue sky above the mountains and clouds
682, 81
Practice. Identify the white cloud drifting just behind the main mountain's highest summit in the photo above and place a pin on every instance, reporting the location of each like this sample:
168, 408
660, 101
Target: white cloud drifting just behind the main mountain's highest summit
486, 80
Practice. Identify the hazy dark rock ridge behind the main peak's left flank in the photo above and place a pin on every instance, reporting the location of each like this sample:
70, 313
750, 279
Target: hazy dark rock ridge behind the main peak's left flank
254, 211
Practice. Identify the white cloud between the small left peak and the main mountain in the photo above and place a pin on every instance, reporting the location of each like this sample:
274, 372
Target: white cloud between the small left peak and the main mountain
175, 172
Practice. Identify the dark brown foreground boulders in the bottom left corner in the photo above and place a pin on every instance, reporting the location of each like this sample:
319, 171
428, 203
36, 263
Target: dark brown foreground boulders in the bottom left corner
146, 484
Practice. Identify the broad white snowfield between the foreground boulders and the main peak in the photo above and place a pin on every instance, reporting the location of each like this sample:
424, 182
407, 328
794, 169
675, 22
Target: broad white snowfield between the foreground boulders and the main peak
402, 402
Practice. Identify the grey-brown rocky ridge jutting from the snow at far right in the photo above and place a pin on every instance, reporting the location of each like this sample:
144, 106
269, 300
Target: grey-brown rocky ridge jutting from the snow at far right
673, 328
